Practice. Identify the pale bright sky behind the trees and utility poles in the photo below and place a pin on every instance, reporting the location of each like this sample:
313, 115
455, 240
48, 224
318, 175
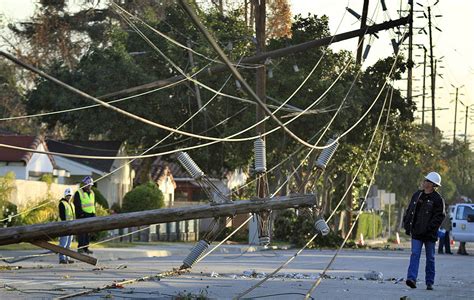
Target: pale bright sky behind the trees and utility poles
454, 46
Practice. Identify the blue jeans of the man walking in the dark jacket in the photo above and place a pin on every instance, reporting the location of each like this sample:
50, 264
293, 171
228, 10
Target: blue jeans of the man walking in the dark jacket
416, 246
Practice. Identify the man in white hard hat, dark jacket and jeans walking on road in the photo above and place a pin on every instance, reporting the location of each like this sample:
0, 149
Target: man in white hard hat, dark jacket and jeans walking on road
422, 219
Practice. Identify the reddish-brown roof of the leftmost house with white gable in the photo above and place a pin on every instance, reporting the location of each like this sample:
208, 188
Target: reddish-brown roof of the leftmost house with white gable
11, 155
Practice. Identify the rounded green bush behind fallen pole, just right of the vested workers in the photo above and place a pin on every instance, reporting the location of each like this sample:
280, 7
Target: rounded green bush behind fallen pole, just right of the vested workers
144, 197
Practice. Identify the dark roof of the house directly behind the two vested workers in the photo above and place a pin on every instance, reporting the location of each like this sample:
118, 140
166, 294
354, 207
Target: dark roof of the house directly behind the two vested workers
94, 148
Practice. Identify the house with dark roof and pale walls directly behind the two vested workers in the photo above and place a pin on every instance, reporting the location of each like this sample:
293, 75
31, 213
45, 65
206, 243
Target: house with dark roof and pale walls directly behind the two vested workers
114, 177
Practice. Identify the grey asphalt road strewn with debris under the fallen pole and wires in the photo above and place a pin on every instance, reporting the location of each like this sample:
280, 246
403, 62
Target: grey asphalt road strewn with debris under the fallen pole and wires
231, 270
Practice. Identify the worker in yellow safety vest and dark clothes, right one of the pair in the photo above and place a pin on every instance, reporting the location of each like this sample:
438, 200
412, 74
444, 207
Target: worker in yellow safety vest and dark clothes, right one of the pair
84, 203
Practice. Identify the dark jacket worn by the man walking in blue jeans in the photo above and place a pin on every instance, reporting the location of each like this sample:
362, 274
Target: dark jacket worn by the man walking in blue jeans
424, 215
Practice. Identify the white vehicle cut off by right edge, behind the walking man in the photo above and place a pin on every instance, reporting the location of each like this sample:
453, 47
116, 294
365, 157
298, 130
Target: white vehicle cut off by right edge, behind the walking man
462, 219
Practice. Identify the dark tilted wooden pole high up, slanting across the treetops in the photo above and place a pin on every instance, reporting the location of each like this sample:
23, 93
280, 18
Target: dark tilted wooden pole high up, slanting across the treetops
272, 54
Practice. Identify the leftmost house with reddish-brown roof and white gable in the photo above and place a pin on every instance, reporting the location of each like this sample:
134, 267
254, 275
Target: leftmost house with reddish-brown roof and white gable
28, 165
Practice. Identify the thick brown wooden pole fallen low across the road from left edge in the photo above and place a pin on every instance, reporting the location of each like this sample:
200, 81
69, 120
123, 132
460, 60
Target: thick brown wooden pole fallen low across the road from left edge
31, 233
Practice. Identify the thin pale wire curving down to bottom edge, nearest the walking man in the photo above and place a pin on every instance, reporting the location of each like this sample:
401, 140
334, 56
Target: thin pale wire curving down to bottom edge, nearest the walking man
372, 178
